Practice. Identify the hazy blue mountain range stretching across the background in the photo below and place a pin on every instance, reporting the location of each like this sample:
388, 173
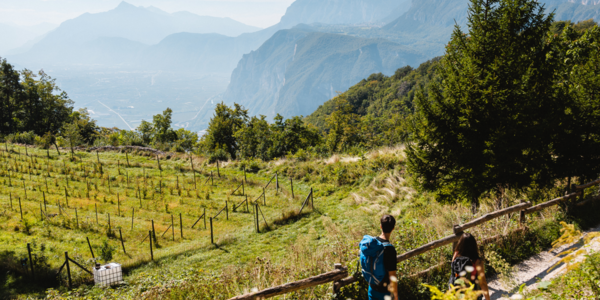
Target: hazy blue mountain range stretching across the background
319, 48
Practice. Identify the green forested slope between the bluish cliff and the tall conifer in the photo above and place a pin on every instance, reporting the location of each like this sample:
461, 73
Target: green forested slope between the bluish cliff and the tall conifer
379, 105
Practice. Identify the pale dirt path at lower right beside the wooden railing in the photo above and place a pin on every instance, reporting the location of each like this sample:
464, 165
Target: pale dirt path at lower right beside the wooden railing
538, 268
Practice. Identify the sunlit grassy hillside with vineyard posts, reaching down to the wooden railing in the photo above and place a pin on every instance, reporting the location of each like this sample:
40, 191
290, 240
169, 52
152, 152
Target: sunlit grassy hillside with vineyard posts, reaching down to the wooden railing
349, 195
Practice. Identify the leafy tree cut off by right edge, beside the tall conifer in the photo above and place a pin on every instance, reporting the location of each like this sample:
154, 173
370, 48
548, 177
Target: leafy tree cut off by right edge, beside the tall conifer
576, 146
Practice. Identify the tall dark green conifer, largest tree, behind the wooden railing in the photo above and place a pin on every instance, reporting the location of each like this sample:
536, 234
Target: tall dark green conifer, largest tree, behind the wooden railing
491, 121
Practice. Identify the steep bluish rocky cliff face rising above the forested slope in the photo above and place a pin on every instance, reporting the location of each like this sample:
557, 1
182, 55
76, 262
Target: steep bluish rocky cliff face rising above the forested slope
297, 70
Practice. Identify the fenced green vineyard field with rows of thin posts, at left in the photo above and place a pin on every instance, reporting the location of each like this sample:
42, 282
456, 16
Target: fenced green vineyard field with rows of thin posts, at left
132, 191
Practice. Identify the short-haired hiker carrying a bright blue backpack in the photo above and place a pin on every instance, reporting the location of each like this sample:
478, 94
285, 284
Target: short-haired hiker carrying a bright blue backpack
378, 261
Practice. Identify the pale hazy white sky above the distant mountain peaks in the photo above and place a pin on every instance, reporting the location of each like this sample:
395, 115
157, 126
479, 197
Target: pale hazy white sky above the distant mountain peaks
261, 13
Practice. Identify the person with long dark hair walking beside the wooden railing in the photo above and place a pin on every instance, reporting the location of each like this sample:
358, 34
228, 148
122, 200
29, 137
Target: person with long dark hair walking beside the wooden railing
467, 265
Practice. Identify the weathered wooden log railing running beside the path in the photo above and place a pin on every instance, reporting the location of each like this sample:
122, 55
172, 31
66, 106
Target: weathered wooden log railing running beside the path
340, 277
